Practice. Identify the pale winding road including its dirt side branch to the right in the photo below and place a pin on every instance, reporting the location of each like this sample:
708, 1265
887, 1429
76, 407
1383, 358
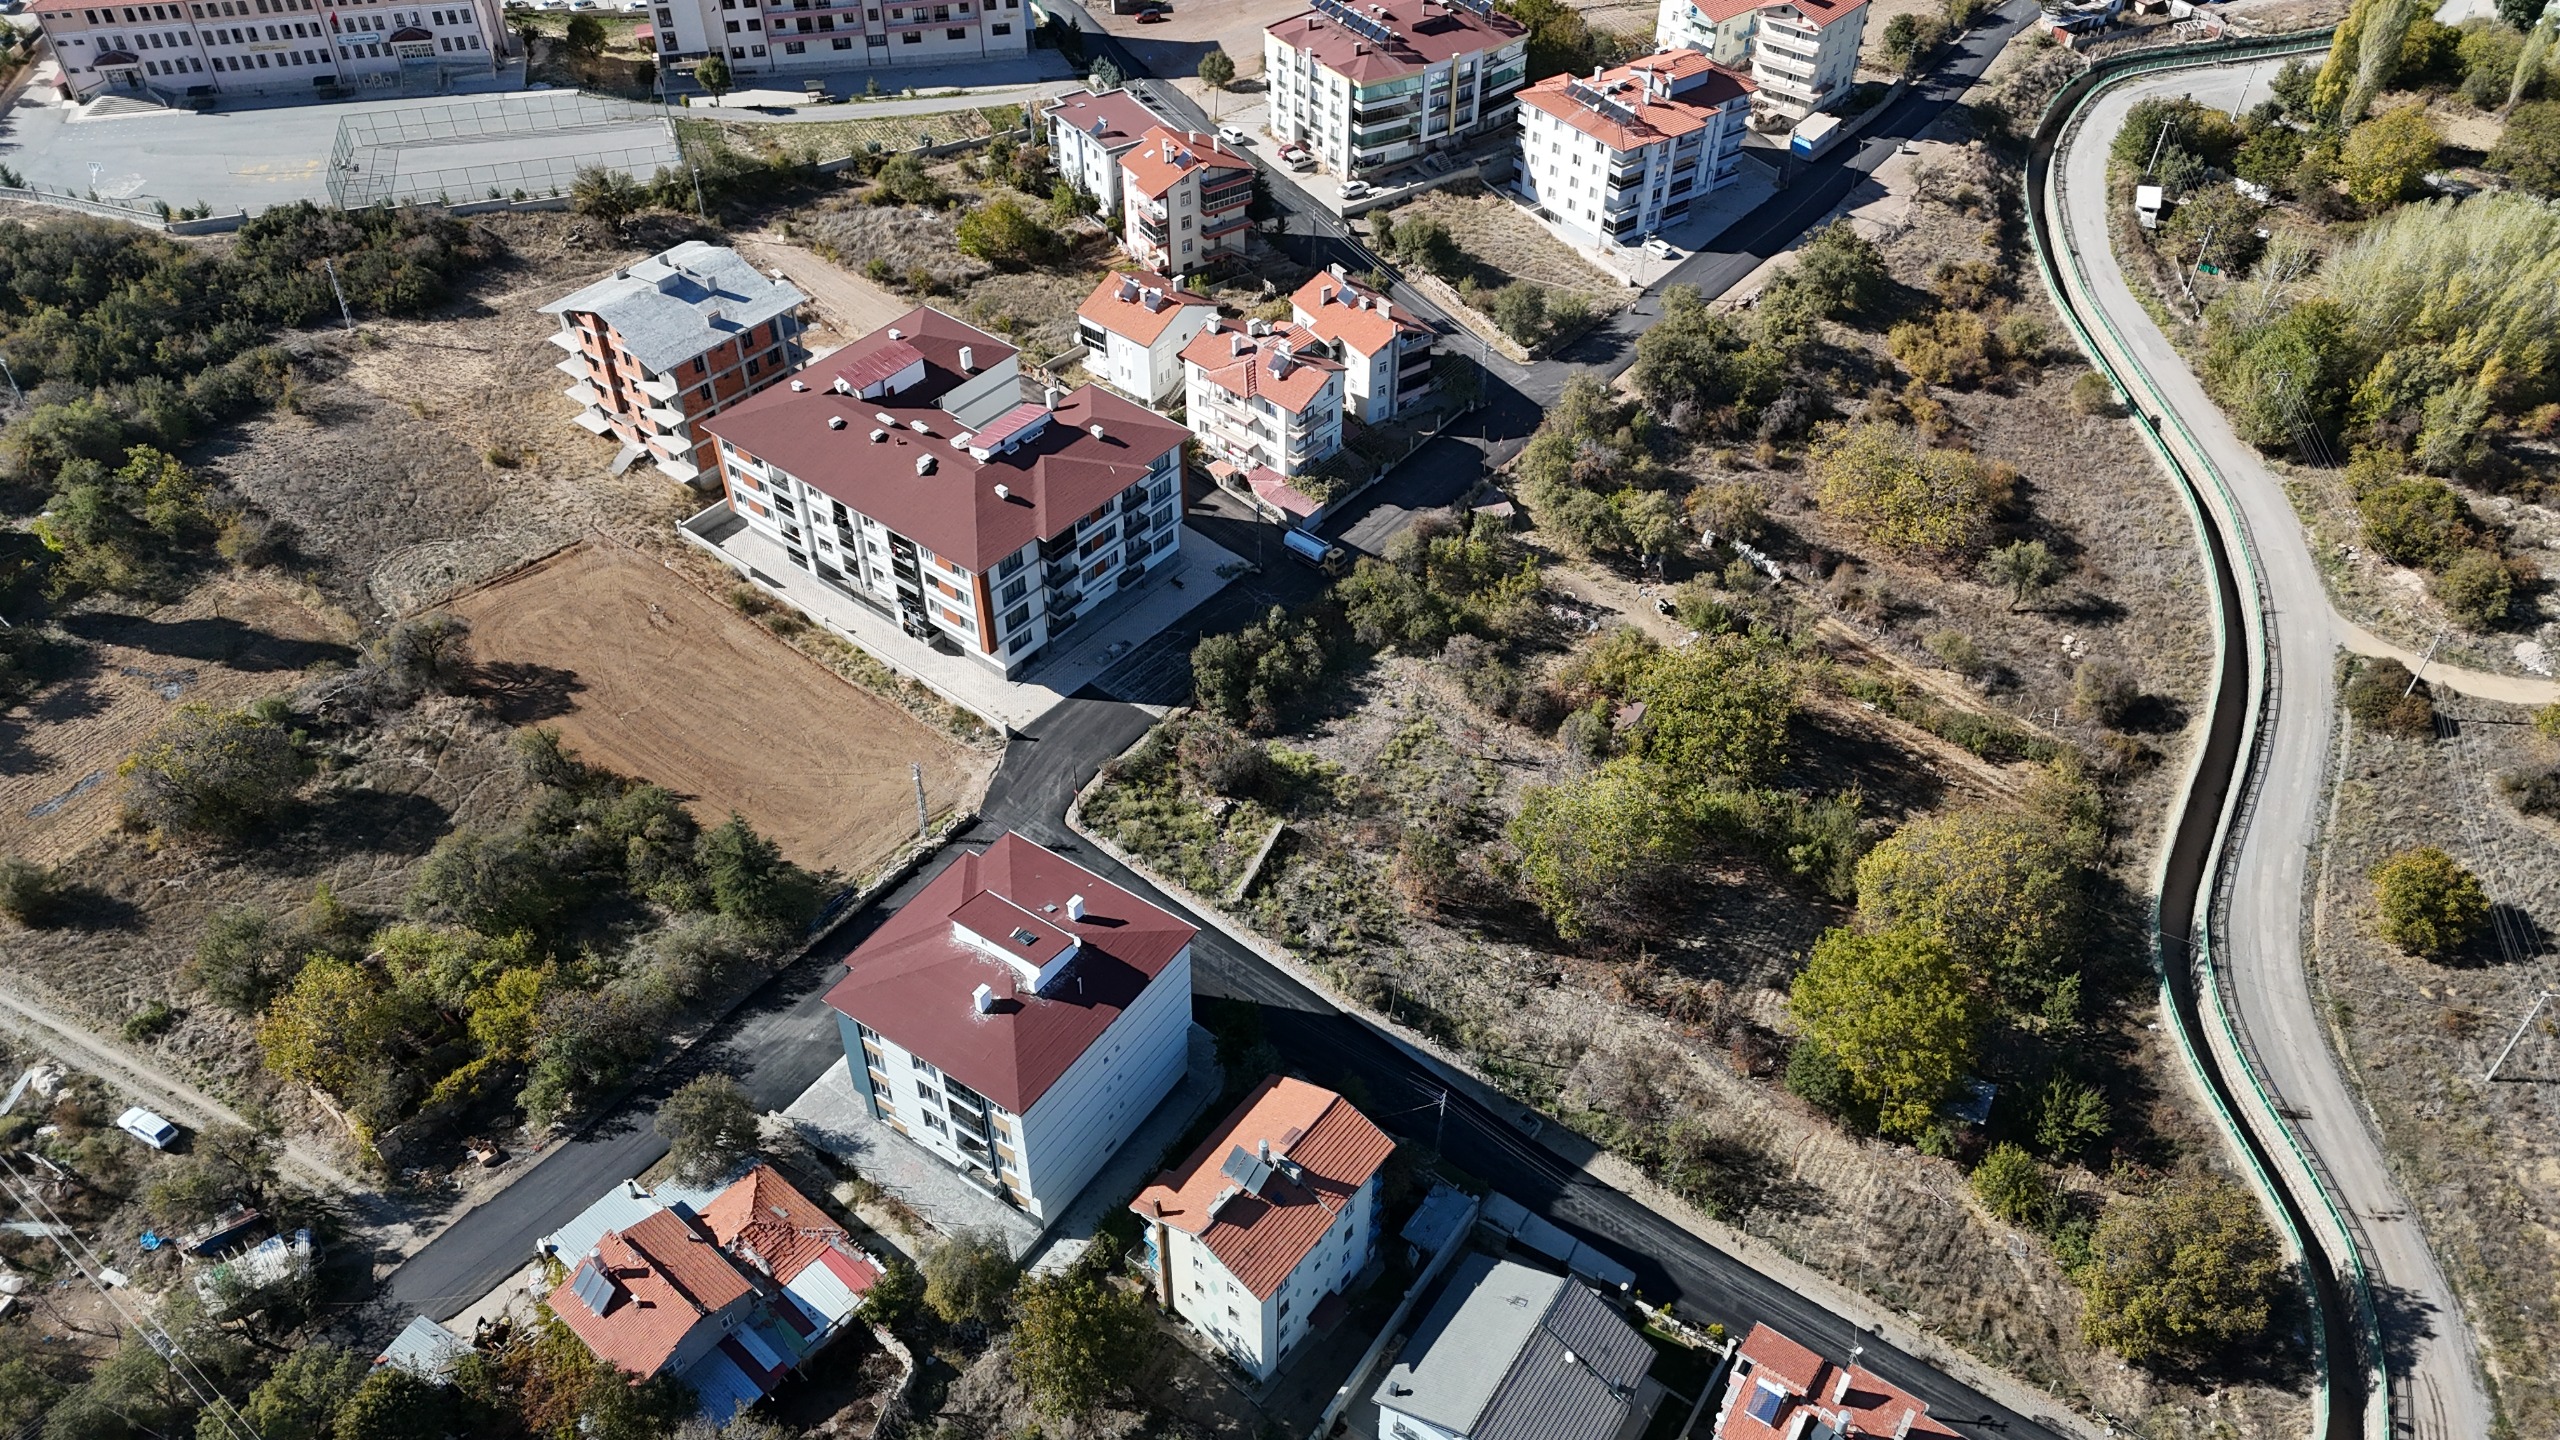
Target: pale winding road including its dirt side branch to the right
2257, 931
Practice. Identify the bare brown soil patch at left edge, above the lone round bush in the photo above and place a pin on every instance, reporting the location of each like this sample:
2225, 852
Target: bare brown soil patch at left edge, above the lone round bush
229, 642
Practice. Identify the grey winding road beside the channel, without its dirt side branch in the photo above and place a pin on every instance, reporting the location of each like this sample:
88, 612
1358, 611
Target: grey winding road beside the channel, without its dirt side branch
2262, 944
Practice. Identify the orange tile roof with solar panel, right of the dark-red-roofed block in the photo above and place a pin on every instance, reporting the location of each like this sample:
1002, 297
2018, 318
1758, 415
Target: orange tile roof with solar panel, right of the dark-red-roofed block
1261, 1236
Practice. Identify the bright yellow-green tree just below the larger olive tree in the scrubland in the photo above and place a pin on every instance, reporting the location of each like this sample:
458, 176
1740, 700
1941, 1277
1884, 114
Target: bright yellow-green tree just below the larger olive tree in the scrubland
1898, 1013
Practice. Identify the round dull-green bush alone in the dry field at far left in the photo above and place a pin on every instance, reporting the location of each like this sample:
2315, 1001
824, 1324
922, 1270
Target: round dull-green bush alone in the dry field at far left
216, 773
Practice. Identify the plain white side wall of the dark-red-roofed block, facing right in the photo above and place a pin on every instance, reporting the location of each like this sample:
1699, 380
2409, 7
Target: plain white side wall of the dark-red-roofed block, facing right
1107, 1093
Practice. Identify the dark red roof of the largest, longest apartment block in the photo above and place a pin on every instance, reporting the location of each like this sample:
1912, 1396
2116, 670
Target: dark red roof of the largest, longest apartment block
1051, 480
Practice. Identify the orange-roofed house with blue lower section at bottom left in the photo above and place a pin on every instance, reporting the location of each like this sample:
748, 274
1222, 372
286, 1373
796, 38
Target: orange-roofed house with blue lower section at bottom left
731, 1300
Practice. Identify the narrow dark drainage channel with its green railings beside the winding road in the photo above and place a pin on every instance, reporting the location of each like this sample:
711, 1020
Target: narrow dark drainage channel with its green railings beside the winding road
2351, 1390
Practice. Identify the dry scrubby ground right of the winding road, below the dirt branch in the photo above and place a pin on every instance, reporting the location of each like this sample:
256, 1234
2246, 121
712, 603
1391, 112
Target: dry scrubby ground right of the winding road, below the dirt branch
2479, 1162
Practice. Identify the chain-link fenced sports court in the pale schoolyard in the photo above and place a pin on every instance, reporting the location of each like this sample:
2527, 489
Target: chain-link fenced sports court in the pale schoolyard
511, 147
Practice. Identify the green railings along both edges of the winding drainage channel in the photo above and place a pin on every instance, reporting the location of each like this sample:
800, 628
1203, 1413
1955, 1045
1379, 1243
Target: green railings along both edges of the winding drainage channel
2065, 286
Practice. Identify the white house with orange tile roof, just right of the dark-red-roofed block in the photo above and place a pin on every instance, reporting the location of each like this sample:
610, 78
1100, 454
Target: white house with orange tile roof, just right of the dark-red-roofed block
1268, 1221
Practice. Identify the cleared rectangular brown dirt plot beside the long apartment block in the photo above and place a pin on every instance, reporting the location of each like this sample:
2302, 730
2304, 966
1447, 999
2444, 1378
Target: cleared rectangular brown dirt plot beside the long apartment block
646, 675
